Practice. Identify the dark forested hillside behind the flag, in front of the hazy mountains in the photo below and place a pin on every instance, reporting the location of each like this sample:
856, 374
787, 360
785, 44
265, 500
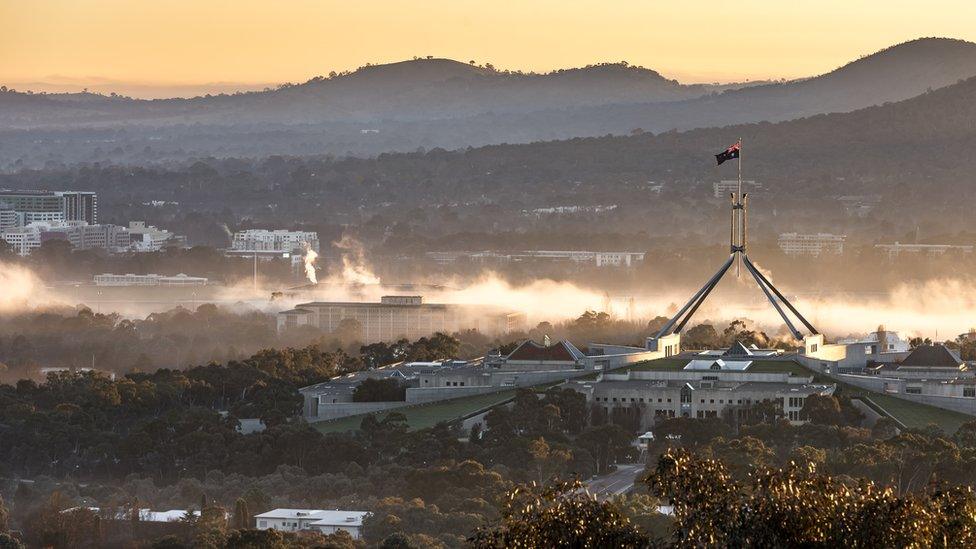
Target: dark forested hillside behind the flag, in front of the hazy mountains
911, 153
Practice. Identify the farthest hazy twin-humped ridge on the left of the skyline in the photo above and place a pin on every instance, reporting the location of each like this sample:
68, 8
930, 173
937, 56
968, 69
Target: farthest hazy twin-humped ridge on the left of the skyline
408, 90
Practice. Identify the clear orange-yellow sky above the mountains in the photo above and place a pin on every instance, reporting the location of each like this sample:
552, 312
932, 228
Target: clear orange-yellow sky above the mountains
167, 47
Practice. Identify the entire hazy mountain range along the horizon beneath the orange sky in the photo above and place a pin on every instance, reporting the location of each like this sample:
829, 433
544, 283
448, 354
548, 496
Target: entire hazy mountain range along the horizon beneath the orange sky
439, 103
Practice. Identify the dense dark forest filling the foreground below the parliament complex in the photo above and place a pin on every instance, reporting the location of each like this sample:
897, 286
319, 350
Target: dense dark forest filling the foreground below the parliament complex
156, 440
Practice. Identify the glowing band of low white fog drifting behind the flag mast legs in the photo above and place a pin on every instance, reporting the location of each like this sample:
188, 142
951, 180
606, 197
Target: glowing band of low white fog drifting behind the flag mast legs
938, 308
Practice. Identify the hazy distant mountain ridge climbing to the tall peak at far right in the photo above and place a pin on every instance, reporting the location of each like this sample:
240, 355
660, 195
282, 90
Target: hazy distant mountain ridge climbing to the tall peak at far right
893, 74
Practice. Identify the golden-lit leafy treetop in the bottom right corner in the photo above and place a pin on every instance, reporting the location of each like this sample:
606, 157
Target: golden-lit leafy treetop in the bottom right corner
798, 507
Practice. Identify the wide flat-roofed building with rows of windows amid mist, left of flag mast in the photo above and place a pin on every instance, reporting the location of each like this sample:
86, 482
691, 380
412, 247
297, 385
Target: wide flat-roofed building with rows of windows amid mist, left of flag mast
395, 317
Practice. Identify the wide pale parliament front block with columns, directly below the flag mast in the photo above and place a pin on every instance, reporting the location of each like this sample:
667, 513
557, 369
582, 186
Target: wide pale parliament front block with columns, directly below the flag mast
721, 389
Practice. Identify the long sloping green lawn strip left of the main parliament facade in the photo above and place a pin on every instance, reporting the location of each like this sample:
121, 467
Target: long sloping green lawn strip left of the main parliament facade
422, 416
